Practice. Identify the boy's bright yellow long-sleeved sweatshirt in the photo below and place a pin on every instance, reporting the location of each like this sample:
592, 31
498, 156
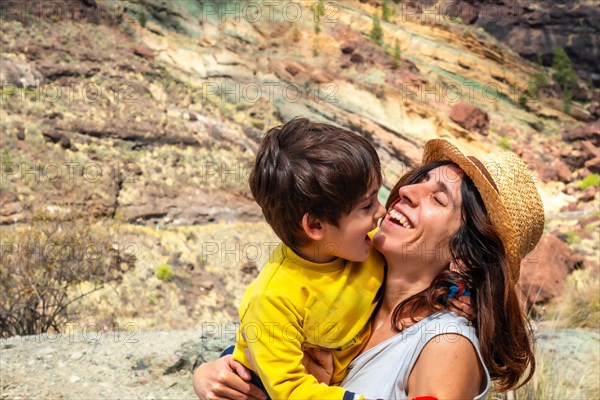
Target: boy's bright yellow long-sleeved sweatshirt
294, 304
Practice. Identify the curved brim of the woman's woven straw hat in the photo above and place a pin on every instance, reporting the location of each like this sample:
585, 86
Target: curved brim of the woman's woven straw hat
442, 150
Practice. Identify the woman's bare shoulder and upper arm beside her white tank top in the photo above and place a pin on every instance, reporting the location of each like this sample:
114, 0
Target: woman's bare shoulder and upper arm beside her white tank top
447, 368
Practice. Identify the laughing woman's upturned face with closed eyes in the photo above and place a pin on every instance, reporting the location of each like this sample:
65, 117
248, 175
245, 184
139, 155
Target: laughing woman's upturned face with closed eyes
419, 224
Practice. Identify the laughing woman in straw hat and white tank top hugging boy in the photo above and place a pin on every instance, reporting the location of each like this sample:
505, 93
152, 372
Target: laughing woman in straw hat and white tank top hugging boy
480, 216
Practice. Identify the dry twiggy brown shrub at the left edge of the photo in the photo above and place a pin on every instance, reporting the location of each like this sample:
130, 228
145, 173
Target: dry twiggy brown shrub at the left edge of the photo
43, 267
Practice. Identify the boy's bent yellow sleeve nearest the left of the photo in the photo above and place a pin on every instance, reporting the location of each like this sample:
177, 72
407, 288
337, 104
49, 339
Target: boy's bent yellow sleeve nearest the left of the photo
273, 333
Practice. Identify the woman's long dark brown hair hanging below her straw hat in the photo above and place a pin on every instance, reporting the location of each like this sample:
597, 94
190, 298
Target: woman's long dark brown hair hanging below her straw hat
503, 331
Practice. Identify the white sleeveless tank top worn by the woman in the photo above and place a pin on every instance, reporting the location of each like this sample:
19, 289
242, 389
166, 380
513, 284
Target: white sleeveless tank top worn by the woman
383, 371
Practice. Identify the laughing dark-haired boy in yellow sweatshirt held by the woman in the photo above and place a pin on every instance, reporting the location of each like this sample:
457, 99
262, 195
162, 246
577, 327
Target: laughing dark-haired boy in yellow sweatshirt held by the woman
317, 185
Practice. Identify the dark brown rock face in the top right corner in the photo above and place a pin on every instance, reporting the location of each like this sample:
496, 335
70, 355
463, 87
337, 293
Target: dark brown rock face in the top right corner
537, 28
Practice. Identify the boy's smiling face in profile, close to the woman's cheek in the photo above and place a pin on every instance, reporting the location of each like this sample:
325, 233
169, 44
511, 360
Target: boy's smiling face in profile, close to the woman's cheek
350, 240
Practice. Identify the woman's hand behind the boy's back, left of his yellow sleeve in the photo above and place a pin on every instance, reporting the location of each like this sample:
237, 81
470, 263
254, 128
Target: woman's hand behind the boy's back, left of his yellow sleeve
225, 378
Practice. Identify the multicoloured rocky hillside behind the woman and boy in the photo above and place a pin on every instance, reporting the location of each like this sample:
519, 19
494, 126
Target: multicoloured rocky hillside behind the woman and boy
145, 116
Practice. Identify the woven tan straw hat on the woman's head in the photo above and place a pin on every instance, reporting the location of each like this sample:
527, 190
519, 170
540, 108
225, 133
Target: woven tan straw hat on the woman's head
512, 201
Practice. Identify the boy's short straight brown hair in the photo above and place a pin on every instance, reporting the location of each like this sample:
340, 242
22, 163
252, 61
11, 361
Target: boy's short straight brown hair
309, 167
